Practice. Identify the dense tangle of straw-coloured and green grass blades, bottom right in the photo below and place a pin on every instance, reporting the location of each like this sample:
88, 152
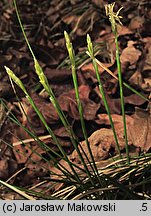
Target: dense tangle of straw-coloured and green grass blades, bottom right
124, 181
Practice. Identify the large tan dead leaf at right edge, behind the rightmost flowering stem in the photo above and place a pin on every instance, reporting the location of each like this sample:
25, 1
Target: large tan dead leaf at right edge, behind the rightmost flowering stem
138, 127
